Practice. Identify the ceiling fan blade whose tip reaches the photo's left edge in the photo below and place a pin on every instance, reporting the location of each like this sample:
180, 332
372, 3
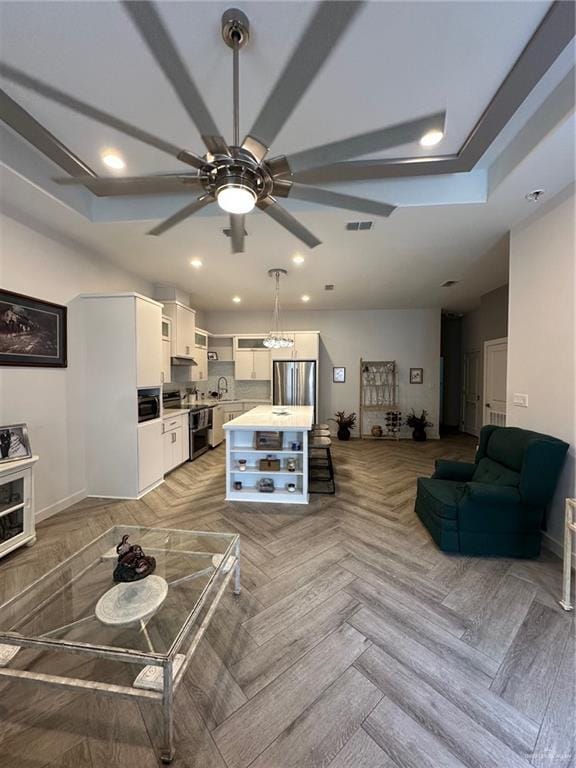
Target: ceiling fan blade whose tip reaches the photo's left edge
49, 92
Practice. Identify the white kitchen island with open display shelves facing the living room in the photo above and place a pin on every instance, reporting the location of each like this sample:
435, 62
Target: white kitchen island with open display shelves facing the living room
269, 432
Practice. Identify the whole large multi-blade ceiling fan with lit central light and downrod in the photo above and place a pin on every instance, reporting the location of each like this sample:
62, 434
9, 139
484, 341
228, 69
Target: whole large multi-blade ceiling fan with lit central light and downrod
238, 176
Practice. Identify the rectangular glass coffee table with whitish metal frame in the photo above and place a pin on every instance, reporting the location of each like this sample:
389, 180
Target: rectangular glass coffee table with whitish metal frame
137, 641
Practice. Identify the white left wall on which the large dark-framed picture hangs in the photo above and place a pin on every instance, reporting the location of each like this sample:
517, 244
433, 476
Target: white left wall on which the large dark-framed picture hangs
50, 400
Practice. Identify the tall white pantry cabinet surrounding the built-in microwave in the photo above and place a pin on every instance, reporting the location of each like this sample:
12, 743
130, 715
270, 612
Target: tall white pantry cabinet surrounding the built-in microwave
123, 356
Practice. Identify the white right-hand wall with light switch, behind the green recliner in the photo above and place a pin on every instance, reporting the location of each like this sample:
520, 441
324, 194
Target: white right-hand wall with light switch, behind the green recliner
542, 335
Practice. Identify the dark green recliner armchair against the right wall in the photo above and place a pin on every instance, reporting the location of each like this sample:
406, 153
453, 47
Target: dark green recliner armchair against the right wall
497, 505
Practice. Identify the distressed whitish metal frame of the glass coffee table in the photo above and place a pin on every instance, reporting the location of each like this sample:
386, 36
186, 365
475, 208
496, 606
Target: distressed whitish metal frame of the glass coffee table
229, 567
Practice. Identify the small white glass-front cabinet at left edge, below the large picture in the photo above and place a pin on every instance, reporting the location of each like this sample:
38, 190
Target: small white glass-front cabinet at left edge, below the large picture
17, 504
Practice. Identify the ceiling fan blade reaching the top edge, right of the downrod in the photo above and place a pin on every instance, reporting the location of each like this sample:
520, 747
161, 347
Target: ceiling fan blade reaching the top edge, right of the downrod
327, 26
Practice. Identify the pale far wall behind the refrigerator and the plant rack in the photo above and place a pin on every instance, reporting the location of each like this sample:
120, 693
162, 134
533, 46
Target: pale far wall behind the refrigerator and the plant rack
409, 336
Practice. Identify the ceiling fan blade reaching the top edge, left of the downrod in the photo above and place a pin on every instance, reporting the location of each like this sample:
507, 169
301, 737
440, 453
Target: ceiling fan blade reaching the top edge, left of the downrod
156, 36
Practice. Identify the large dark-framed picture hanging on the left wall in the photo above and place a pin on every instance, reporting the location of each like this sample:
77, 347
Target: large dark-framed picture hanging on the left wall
32, 331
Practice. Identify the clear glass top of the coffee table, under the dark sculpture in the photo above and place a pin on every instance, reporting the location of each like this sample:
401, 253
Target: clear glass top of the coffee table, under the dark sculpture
61, 606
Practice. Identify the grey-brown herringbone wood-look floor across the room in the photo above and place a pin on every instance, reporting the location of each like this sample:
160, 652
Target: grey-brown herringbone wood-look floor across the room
355, 642
